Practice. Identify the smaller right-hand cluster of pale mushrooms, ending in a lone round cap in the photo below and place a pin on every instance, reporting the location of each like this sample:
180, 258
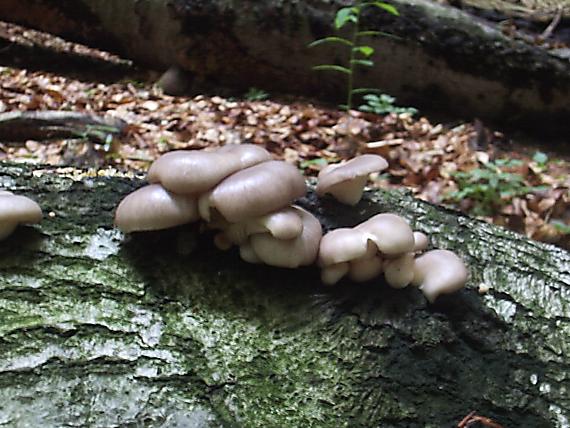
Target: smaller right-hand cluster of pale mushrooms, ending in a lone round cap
386, 244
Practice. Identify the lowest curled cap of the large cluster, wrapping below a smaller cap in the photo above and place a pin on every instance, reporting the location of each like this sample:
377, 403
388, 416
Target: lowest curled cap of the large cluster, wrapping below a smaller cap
290, 253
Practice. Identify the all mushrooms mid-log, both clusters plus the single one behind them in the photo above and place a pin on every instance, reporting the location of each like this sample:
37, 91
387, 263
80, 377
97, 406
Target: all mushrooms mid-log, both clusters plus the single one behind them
238, 191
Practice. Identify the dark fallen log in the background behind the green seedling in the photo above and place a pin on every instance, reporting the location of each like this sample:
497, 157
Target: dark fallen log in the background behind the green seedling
444, 58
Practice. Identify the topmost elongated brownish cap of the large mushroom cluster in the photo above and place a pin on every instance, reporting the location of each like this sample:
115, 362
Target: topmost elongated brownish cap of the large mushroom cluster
192, 172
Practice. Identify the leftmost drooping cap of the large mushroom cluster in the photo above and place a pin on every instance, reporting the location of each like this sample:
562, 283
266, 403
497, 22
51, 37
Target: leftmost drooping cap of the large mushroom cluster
152, 208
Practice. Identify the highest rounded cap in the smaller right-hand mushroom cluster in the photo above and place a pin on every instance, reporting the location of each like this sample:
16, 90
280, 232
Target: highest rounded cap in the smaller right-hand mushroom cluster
390, 232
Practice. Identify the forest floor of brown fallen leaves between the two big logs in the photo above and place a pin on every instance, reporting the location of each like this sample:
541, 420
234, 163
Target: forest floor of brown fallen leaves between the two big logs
466, 165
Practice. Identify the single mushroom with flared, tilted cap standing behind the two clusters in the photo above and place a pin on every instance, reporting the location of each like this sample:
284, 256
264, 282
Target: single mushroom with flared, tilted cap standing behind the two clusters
346, 181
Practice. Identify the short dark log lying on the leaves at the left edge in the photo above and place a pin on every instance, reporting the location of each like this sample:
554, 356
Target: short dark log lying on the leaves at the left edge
42, 125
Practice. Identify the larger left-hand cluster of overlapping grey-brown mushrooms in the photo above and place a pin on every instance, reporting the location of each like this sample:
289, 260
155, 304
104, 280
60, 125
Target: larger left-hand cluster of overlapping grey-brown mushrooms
237, 190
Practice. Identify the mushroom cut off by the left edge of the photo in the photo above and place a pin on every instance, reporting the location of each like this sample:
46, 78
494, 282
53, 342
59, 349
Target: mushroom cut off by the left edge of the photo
15, 210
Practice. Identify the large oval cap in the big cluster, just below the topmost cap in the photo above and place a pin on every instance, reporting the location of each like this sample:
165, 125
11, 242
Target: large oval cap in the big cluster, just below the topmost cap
255, 191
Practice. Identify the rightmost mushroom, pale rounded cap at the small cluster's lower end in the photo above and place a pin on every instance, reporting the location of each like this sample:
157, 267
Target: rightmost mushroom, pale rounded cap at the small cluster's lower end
439, 272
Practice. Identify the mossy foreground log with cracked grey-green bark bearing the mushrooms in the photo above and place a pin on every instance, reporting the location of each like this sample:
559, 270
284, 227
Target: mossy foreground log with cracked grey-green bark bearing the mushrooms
162, 329
